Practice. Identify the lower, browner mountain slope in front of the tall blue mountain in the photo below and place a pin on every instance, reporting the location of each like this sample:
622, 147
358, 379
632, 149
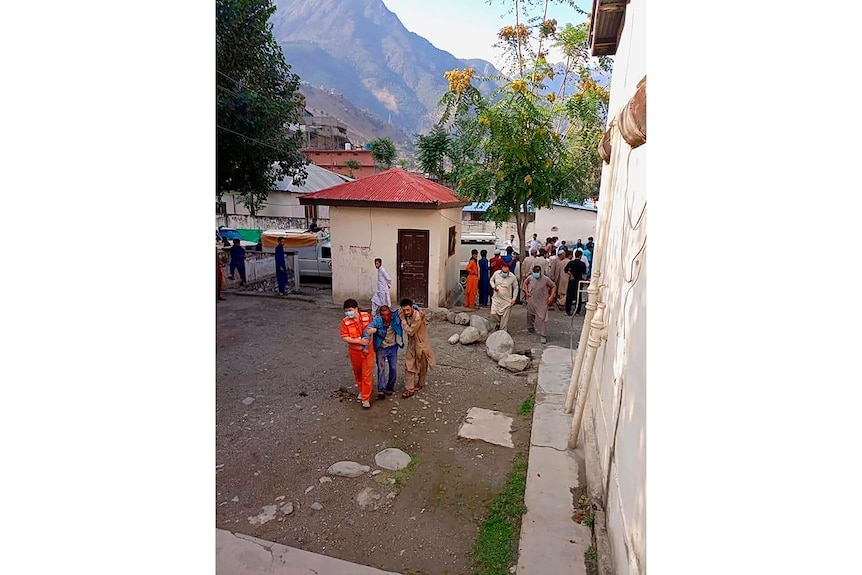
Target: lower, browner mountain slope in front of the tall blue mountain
362, 126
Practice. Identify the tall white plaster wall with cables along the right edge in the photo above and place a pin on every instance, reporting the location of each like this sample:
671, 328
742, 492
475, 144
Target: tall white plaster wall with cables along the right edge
618, 387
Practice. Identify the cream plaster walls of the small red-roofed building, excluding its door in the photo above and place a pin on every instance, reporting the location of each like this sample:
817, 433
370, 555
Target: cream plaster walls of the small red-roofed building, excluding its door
358, 235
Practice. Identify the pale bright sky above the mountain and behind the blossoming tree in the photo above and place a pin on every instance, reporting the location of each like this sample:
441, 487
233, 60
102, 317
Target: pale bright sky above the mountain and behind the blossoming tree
468, 28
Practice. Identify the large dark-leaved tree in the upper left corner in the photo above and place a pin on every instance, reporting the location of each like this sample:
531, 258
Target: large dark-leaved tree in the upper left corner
257, 100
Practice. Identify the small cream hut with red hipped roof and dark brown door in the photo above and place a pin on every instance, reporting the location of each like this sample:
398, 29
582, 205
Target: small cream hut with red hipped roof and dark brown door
408, 221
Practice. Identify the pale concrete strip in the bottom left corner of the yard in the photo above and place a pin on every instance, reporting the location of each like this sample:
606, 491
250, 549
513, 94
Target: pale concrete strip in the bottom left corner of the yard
238, 554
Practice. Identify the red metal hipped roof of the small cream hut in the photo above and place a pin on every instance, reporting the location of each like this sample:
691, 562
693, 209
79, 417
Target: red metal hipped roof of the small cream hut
392, 188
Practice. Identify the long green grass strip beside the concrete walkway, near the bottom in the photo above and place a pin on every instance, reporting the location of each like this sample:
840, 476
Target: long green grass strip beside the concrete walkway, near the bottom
496, 545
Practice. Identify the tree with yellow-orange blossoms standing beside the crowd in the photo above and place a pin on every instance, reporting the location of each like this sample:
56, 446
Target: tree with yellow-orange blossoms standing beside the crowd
527, 146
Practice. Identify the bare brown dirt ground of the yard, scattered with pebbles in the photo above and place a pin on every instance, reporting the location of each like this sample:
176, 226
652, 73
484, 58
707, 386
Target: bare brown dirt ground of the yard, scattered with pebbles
287, 355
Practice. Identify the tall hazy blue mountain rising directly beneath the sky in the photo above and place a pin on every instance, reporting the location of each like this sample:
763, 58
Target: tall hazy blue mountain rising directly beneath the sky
360, 49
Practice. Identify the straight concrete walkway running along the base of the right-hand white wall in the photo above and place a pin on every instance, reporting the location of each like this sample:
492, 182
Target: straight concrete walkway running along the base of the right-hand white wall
551, 541
